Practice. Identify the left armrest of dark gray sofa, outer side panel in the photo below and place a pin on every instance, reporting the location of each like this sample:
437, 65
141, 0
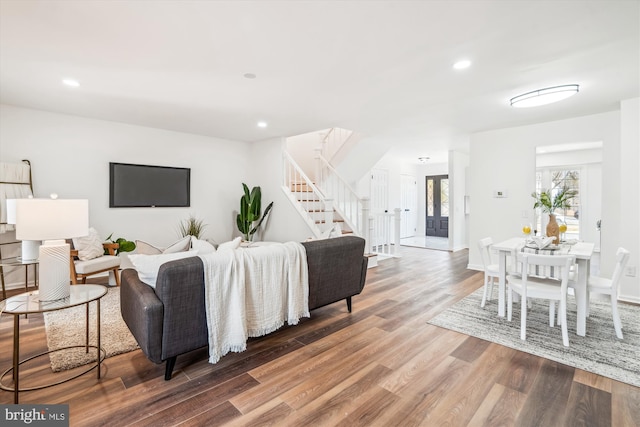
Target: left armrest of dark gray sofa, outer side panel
143, 312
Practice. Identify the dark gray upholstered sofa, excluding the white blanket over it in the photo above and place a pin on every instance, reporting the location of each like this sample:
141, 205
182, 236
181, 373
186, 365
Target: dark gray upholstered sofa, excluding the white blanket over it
170, 320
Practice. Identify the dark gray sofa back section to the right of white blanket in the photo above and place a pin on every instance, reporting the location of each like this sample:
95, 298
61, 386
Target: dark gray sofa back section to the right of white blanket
337, 269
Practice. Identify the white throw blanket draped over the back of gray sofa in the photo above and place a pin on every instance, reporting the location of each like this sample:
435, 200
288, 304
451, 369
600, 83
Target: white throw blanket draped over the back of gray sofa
251, 292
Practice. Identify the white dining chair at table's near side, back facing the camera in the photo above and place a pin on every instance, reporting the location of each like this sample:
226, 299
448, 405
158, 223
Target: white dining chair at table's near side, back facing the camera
529, 286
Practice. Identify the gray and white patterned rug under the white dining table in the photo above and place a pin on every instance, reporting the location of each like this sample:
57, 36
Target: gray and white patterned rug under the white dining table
599, 352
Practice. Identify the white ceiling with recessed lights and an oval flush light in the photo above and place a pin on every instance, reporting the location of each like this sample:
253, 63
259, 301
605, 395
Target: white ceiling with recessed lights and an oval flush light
381, 68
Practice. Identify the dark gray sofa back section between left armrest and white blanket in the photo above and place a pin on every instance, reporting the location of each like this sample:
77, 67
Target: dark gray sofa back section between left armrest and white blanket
180, 287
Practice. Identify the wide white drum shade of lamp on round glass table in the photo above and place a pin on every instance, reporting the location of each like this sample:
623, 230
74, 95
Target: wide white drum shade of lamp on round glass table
51, 219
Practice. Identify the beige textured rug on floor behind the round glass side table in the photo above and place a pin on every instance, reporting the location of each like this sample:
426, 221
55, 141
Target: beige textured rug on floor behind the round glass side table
67, 327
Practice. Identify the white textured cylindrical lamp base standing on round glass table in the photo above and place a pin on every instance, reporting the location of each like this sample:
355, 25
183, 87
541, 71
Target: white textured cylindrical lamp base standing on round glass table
54, 270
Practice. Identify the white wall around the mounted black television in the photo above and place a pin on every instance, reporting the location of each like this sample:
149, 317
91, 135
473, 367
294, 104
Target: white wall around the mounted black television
70, 156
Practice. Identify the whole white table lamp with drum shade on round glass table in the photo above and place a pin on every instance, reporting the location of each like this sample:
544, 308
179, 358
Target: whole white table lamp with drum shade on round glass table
52, 220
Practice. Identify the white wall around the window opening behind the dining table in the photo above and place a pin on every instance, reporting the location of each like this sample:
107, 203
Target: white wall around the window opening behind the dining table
505, 160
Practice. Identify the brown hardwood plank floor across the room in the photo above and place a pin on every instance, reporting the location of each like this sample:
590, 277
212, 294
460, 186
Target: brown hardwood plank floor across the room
381, 365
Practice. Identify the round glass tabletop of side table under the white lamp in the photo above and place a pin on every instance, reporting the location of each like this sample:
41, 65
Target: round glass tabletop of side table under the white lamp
29, 302
